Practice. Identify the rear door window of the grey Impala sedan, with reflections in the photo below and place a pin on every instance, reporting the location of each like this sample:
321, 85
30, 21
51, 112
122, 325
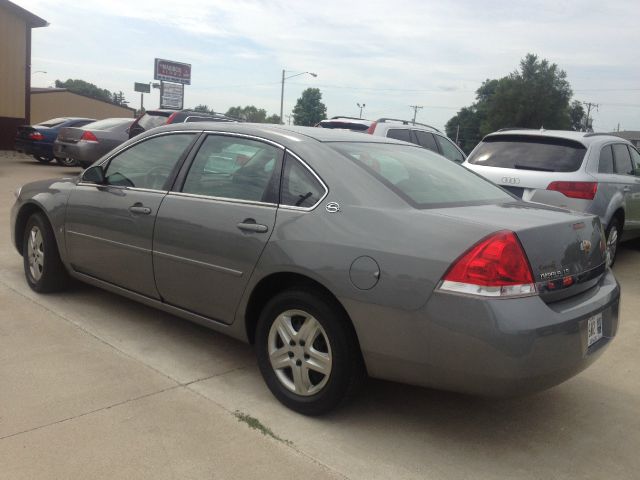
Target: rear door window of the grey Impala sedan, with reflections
235, 168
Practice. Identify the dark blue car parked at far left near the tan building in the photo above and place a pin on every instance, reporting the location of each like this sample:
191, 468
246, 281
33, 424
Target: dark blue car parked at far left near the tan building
37, 140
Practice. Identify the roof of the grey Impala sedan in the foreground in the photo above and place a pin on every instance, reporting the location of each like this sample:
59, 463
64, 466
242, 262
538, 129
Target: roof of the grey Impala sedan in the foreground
285, 134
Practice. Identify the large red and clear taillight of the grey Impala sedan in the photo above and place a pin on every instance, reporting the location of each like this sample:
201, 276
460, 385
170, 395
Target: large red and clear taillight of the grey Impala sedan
496, 266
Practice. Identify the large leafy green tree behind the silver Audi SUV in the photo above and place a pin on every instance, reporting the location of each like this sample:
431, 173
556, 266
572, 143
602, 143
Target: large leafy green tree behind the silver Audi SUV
534, 96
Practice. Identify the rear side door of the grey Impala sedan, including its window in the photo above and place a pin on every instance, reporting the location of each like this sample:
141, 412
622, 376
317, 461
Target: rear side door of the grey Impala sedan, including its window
211, 232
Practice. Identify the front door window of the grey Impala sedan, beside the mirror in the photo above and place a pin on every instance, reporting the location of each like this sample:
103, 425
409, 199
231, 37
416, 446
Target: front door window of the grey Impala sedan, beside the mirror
148, 164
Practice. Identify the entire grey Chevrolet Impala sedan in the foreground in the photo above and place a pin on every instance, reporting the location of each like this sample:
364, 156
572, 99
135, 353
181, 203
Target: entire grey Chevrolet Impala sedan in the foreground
336, 253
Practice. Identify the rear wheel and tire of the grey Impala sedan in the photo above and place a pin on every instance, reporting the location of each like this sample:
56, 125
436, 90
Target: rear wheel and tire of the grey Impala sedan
321, 339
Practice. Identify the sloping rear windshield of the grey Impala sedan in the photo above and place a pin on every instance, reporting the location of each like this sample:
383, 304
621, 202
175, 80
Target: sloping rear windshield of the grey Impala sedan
422, 178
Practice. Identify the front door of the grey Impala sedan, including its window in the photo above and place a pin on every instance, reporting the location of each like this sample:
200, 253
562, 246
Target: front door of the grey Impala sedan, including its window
109, 227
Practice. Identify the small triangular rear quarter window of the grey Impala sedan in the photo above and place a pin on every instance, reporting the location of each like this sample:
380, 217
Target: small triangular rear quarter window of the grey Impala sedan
300, 188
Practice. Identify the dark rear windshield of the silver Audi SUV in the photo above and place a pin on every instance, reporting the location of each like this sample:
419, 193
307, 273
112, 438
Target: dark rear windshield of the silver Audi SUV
526, 152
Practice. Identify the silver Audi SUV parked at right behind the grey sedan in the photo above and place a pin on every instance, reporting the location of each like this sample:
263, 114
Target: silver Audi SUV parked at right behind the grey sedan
588, 172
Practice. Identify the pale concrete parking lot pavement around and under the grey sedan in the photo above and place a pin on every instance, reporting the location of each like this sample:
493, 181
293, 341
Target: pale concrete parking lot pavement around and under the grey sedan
93, 385
